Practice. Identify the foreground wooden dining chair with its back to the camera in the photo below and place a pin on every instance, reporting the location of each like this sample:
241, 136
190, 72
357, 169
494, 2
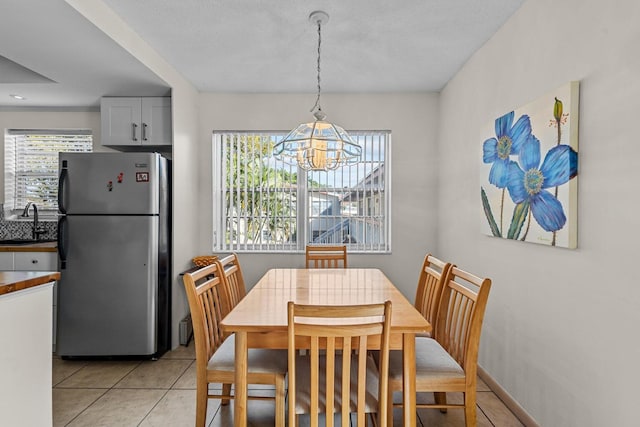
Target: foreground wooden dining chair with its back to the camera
317, 381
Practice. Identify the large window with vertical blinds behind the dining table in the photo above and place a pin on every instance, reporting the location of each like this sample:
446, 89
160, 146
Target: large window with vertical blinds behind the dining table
263, 204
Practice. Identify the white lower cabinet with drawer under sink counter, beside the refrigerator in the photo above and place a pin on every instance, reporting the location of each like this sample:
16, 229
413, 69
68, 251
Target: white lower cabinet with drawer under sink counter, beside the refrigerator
34, 261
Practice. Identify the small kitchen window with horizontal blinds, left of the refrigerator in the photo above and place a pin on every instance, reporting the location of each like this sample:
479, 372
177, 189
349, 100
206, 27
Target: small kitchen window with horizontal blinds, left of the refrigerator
31, 165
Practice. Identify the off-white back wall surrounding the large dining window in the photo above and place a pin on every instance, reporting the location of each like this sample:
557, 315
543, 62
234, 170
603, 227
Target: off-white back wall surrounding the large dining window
412, 119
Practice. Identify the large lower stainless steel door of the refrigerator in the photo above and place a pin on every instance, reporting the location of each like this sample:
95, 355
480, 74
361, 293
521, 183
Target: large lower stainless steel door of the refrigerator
107, 295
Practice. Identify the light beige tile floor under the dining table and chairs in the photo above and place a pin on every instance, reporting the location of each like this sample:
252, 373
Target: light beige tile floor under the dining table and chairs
162, 393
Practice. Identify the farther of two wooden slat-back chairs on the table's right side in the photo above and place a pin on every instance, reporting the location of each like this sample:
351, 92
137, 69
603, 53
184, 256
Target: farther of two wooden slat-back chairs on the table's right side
429, 288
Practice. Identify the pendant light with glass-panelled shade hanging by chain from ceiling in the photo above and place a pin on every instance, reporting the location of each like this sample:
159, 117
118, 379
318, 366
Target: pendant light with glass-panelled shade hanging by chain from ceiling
318, 145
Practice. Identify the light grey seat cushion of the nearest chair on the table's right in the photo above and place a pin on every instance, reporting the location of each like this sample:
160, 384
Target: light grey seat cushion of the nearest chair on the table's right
432, 362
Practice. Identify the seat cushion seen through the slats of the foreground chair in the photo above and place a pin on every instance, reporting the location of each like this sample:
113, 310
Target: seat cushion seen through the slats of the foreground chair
303, 385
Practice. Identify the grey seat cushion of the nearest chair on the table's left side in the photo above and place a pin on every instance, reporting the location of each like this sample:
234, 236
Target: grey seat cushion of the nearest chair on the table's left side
259, 360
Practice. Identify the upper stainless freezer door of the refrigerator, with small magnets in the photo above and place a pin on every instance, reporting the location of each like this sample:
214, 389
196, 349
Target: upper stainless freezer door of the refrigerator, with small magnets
109, 183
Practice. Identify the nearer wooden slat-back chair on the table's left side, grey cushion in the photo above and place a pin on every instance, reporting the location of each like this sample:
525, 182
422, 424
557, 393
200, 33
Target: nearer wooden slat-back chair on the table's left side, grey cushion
215, 353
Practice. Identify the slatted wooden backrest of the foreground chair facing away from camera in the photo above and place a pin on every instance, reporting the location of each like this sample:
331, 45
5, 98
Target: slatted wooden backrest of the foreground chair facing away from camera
350, 329
